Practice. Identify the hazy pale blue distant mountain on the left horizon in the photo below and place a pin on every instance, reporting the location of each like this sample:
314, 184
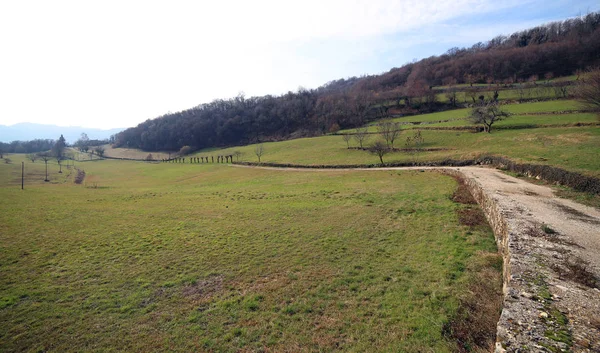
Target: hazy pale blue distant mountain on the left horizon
31, 131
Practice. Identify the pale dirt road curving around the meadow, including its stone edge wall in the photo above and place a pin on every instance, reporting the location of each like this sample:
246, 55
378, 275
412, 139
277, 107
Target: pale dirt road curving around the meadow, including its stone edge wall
551, 249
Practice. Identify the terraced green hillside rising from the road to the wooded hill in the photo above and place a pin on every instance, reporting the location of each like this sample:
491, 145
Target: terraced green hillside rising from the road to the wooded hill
538, 133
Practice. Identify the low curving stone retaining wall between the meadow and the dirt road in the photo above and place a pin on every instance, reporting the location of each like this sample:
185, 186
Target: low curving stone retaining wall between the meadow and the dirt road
522, 326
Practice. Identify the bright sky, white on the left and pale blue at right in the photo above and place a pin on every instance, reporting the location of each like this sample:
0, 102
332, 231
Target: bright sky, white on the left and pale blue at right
110, 64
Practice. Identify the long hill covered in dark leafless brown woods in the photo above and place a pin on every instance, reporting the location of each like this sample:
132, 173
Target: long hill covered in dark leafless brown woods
505, 62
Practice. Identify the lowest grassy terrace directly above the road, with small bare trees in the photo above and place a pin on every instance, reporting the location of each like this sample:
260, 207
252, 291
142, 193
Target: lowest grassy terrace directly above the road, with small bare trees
573, 148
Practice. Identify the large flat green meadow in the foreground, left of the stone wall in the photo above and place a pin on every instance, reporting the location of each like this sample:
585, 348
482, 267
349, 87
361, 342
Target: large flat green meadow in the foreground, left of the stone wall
168, 257
